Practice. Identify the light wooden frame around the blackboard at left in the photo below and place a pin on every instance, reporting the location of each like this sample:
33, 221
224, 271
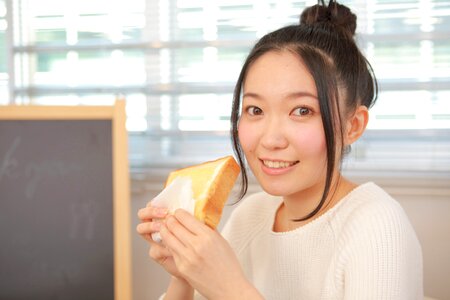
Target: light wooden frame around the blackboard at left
121, 189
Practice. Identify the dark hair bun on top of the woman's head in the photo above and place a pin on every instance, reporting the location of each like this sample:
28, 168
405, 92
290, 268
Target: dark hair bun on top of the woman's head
335, 14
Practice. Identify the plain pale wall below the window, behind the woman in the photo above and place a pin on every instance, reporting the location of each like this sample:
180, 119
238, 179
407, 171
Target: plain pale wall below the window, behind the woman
427, 203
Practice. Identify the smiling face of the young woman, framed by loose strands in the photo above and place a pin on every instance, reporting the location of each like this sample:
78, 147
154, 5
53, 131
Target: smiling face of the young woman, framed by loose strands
280, 128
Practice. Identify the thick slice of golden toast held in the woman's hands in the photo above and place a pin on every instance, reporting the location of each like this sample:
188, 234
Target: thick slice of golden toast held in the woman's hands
211, 185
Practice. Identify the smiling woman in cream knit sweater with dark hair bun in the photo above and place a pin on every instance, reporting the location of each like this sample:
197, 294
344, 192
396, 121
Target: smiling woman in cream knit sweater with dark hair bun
301, 100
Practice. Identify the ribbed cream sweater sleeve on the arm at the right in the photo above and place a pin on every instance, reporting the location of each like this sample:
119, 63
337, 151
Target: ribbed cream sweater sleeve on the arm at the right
381, 257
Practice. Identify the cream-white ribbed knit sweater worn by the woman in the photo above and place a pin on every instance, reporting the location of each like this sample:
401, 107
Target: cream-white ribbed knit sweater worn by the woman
363, 248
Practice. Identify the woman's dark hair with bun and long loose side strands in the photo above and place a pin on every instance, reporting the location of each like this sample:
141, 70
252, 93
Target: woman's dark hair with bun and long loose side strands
324, 42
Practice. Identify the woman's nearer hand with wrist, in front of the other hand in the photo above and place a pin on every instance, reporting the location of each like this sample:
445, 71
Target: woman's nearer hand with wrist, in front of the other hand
203, 258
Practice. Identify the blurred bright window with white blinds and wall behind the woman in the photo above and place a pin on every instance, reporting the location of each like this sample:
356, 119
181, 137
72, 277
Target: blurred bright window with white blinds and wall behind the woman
176, 61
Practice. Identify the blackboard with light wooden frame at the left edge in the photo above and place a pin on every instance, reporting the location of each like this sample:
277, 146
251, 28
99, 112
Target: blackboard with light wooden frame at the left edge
63, 230
